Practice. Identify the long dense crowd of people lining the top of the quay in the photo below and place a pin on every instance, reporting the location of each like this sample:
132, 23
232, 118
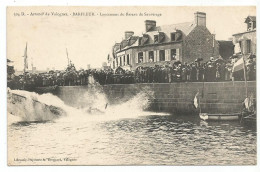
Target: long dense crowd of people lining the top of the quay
197, 71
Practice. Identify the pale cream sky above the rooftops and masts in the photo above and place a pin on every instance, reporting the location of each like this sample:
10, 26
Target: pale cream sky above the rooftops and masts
89, 39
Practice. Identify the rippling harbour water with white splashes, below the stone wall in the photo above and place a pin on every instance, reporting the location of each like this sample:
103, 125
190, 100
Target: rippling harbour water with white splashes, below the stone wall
122, 134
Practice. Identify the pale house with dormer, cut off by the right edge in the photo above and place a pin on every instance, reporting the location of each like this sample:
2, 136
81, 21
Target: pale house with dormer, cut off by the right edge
247, 39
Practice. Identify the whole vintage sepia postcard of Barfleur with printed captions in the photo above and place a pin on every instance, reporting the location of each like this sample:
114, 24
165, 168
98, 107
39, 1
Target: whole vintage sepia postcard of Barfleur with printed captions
131, 85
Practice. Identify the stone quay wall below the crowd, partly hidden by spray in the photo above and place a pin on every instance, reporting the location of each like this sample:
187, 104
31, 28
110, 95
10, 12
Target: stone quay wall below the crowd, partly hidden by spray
214, 97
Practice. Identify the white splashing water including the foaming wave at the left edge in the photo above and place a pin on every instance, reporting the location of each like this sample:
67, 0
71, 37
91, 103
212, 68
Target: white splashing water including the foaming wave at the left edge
95, 107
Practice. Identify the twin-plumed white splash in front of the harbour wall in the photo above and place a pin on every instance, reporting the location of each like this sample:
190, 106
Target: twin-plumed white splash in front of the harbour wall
97, 107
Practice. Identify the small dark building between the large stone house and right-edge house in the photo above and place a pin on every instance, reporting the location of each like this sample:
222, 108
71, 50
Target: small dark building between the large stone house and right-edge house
226, 49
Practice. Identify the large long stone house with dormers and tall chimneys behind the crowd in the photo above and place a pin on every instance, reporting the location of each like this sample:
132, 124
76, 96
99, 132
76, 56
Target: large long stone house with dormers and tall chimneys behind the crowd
166, 44
